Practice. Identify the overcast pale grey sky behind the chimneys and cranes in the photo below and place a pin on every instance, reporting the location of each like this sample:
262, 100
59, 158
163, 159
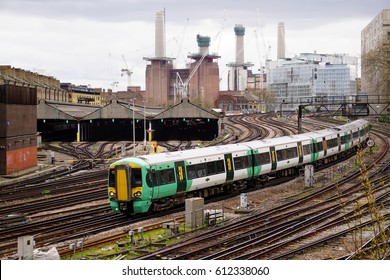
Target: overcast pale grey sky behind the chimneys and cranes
84, 41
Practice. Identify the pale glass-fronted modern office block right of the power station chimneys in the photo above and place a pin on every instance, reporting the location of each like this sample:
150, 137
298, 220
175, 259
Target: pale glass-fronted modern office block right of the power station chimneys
292, 81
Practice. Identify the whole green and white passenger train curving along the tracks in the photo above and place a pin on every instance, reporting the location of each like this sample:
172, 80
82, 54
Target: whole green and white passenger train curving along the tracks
149, 183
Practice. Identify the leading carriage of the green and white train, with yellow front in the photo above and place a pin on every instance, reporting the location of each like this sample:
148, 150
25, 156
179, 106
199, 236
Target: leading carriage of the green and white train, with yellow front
164, 179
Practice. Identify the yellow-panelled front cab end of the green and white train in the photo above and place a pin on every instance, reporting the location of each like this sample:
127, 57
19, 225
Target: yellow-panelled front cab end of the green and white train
124, 188
